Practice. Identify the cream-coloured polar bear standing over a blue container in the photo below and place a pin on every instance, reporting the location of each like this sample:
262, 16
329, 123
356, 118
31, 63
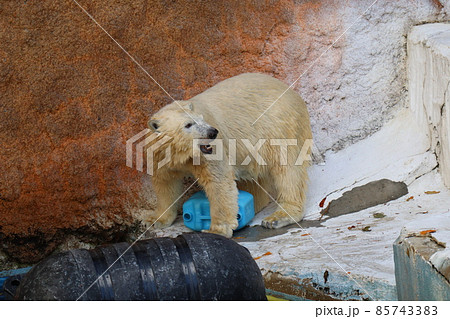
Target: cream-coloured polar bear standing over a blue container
262, 126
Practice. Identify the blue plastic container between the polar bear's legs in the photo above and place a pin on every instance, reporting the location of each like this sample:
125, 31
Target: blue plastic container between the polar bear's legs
196, 211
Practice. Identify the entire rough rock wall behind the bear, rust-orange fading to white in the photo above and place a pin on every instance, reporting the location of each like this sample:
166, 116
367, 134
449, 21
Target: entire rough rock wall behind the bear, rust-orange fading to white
70, 98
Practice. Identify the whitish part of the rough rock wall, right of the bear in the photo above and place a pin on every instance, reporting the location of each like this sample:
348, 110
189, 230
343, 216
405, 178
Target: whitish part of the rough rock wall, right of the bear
354, 88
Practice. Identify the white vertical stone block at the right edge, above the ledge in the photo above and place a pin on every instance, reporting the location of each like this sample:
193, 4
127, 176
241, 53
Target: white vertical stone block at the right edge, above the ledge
429, 81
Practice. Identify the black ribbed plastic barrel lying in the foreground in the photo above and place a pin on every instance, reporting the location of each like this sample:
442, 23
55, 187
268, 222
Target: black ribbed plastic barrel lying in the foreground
193, 266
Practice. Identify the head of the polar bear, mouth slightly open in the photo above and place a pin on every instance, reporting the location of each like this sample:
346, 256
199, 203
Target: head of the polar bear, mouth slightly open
184, 126
